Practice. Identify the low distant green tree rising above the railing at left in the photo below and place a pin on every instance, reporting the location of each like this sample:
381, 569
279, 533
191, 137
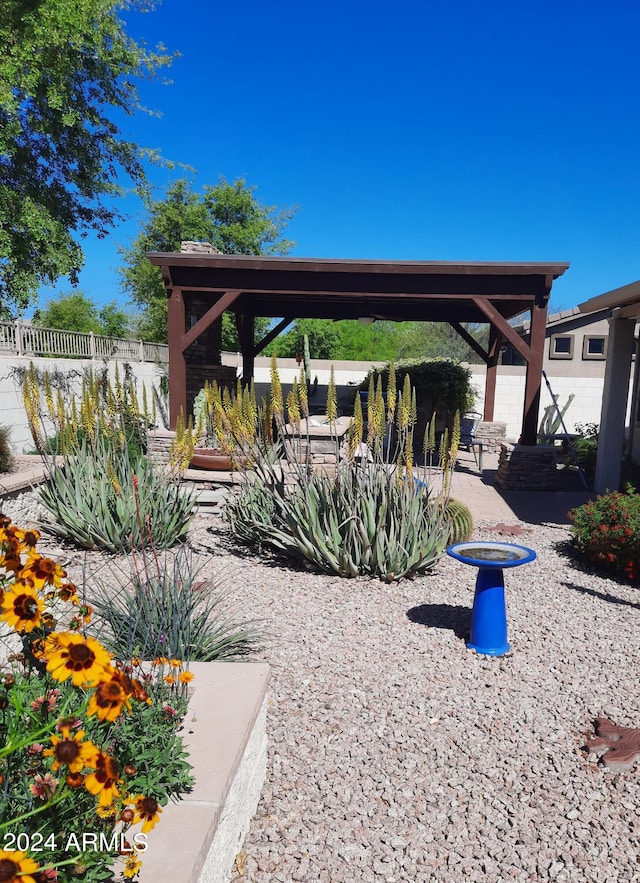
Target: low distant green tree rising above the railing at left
76, 312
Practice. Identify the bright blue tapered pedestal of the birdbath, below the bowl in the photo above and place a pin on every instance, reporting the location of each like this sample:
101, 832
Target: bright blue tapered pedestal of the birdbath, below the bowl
489, 614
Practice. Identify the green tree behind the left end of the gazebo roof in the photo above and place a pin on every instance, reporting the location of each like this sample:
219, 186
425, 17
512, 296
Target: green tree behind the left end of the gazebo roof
228, 216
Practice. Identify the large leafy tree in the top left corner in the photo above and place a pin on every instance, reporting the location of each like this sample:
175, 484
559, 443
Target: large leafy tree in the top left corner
66, 70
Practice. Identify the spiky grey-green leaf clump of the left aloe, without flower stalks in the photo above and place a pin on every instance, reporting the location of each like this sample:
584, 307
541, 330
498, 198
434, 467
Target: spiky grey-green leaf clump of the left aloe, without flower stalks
100, 499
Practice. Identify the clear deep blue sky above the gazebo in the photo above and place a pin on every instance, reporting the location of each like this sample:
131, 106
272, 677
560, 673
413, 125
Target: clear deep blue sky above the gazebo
505, 130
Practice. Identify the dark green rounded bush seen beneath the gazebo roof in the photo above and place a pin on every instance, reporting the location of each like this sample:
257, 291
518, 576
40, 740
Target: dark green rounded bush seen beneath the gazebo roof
441, 386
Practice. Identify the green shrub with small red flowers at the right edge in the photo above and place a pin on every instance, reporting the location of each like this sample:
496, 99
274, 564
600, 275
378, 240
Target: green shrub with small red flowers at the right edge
606, 532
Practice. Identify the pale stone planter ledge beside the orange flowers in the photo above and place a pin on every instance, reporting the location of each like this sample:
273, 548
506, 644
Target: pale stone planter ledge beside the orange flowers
197, 838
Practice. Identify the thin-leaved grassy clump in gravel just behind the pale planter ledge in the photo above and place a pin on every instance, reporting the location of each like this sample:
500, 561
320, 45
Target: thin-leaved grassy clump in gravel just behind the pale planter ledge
165, 610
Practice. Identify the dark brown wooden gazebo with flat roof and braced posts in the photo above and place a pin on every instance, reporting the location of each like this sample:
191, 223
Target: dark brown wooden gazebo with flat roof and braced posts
202, 285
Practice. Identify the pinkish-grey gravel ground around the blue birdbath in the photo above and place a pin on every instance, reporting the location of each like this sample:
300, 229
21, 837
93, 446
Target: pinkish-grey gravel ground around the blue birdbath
395, 753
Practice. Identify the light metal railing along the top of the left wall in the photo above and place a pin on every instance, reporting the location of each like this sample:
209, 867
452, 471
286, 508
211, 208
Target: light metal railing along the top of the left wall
20, 339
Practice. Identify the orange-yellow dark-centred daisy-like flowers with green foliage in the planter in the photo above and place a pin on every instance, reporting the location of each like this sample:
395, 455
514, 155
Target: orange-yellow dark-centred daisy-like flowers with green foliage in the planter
89, 744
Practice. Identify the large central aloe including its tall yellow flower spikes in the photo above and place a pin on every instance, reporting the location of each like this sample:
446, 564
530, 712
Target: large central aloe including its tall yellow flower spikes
376, 515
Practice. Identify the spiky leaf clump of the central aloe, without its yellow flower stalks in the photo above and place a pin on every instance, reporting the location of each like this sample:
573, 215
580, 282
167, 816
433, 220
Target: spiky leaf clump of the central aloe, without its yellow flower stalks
363, 521
